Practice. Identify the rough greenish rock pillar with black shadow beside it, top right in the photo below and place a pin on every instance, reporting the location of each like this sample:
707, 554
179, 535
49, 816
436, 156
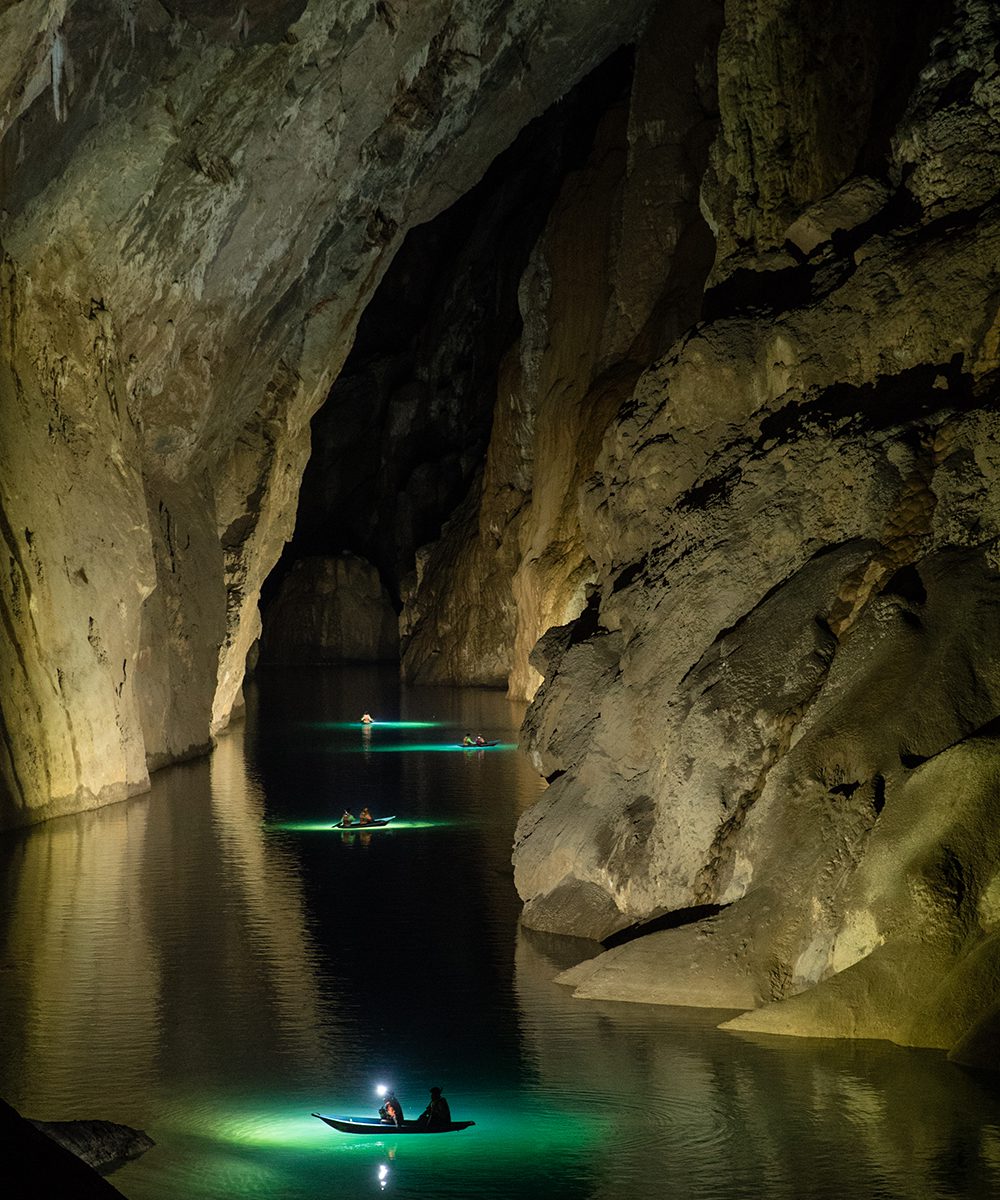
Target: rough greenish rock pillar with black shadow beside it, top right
805, 104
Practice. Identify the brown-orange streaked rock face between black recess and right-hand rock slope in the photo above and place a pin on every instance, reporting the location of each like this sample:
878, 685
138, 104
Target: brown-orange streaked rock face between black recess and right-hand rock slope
615, 277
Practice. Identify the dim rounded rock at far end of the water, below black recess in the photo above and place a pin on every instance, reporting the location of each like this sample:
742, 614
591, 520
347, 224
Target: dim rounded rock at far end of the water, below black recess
332, 610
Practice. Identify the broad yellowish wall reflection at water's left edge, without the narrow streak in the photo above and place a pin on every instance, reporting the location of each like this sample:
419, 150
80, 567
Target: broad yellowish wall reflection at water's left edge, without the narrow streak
79, 957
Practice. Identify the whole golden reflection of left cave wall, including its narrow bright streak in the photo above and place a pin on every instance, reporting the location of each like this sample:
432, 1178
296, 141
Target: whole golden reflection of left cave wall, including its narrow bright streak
163, 931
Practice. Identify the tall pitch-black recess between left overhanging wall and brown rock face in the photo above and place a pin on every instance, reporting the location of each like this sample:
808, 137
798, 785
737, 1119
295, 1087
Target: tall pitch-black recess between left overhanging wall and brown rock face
408, 423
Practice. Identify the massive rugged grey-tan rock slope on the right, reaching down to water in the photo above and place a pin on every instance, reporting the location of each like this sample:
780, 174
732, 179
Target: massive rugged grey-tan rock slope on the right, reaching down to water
783, 698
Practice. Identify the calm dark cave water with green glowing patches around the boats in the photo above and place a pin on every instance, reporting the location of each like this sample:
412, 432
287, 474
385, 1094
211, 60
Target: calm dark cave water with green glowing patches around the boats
213, 963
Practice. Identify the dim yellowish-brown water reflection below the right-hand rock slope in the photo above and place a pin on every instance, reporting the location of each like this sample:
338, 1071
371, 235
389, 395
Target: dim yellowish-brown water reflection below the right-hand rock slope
712, 1114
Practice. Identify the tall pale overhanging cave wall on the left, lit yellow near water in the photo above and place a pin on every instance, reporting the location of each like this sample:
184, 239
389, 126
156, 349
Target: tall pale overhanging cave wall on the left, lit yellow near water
196, 211
